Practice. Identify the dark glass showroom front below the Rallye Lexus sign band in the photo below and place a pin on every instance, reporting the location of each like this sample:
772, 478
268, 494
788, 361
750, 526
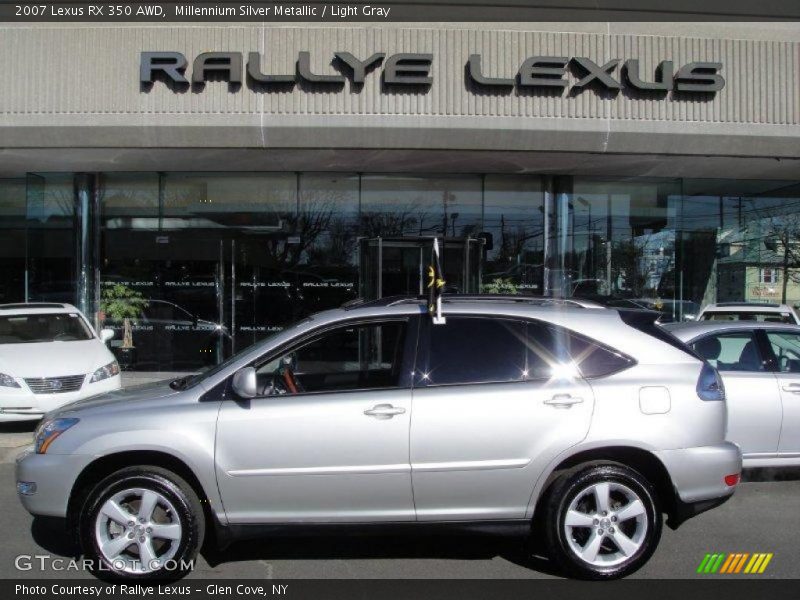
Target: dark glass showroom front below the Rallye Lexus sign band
209, 263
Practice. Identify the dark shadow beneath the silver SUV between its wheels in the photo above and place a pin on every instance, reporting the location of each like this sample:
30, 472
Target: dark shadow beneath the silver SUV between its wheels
329, 547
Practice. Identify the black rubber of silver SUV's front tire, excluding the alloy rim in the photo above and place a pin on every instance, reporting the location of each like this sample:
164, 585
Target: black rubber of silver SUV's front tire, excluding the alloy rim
173, 488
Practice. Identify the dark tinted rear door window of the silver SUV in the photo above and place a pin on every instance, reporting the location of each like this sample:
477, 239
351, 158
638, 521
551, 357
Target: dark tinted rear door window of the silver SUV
476, 350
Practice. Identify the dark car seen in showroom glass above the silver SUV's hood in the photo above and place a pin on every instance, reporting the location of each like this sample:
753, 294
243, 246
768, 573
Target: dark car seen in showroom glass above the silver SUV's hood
168, 337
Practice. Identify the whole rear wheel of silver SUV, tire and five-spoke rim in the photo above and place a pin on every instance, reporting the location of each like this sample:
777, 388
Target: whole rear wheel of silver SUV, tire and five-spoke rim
587, 544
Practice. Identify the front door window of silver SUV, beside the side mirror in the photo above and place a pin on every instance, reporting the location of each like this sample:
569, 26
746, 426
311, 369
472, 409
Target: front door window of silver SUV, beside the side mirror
366, 356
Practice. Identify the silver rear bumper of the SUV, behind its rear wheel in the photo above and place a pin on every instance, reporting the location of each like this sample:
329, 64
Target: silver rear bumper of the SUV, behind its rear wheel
698, 475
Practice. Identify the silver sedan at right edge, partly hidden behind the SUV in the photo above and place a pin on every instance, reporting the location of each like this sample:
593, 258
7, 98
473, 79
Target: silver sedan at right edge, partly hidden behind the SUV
760, 366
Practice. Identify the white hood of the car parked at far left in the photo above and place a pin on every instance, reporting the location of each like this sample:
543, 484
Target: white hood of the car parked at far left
53, 359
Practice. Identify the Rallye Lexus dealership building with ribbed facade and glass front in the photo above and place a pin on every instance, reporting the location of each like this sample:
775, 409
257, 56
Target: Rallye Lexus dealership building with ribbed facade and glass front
236, 177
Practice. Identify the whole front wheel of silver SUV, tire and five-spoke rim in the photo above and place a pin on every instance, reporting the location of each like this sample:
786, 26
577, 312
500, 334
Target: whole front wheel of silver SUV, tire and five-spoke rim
160, 546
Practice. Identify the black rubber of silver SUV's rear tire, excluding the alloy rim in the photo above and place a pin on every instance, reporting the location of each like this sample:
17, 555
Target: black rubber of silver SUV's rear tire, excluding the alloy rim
567, 488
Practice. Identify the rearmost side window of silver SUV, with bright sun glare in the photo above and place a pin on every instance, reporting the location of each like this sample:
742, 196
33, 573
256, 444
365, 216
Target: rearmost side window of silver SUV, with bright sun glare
557, 352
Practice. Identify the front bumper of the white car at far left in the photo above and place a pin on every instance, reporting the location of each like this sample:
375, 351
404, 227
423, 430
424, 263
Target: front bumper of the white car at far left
21, 404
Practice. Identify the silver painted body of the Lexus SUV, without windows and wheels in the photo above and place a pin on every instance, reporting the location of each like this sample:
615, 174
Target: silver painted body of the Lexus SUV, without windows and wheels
454, 453
